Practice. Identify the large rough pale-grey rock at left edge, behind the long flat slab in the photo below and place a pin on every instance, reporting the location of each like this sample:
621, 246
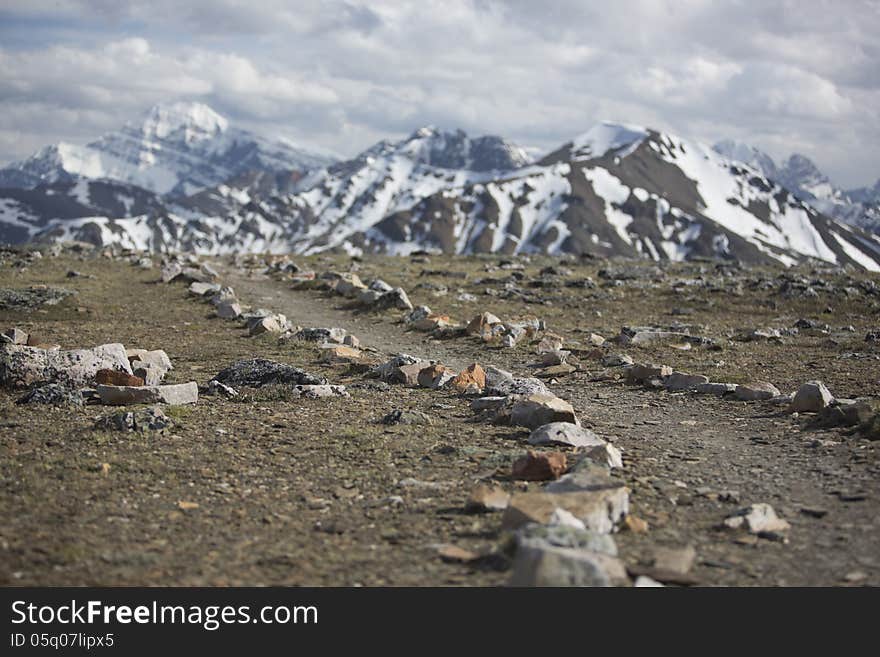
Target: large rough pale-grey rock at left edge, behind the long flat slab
21, 366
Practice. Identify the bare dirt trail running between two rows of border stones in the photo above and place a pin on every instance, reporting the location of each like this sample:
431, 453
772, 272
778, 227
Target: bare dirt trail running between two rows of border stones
683, 453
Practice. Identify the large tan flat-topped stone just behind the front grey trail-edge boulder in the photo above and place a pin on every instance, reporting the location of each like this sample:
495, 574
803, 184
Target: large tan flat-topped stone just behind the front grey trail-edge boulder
599, 510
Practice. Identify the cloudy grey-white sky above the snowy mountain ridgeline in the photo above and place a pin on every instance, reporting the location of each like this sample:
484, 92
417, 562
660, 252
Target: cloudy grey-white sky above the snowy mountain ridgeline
786, 76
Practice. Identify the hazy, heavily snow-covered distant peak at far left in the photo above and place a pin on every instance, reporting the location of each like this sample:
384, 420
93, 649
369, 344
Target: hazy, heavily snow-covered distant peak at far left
176, 149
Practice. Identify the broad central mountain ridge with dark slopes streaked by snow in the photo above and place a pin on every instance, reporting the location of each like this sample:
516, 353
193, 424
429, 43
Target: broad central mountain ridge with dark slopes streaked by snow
614, 190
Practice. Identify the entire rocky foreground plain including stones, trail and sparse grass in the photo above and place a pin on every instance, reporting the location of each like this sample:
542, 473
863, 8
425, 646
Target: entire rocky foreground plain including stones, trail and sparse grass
435, 420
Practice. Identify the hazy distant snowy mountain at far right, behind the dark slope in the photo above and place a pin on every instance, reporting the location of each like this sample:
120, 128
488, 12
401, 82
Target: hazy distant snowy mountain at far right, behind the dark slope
859, 207
